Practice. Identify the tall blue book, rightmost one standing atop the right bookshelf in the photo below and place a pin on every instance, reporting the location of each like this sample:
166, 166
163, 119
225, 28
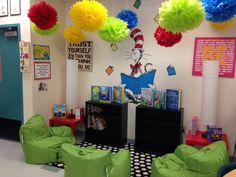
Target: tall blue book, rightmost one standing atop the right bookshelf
173, 99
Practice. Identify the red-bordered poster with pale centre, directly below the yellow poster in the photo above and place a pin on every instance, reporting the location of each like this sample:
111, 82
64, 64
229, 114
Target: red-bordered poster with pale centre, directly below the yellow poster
42, 70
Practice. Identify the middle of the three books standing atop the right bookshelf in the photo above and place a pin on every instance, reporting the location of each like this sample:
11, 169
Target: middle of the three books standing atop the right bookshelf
159, 99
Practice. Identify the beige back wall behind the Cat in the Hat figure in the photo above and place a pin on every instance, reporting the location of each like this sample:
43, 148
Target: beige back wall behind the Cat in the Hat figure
180, 56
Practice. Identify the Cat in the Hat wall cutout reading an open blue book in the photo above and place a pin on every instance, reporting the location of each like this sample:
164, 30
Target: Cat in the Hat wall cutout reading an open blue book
137, 79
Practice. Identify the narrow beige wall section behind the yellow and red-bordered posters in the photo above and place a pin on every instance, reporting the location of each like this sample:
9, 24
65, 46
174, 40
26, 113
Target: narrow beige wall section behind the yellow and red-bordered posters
44, 100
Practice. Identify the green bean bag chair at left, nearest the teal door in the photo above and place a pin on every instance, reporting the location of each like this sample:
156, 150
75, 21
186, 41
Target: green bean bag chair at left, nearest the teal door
42, 144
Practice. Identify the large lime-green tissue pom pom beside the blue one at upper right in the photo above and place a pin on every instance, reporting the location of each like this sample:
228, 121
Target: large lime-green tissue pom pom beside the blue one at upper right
181, 15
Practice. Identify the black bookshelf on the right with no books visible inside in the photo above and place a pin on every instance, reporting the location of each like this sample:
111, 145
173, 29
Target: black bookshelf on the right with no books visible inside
158, 131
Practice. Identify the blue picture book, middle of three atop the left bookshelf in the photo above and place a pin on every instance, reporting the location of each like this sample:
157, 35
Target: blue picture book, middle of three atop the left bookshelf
105, 94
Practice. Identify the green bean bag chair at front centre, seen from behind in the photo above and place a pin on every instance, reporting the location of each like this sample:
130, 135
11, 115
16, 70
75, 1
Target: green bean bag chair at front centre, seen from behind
90, 162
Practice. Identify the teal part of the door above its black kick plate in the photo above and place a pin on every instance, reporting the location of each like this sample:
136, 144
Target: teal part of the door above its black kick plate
11, 96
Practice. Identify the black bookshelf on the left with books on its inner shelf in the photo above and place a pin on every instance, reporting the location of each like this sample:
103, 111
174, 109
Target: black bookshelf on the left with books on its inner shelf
115, 116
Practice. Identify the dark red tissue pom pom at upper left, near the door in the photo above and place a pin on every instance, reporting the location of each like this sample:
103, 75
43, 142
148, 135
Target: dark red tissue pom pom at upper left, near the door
43, 15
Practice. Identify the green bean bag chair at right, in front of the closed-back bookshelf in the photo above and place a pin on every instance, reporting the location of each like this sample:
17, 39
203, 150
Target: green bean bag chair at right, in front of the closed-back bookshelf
188, 161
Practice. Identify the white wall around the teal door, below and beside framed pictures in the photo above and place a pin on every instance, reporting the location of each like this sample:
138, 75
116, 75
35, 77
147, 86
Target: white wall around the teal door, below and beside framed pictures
24, 22
